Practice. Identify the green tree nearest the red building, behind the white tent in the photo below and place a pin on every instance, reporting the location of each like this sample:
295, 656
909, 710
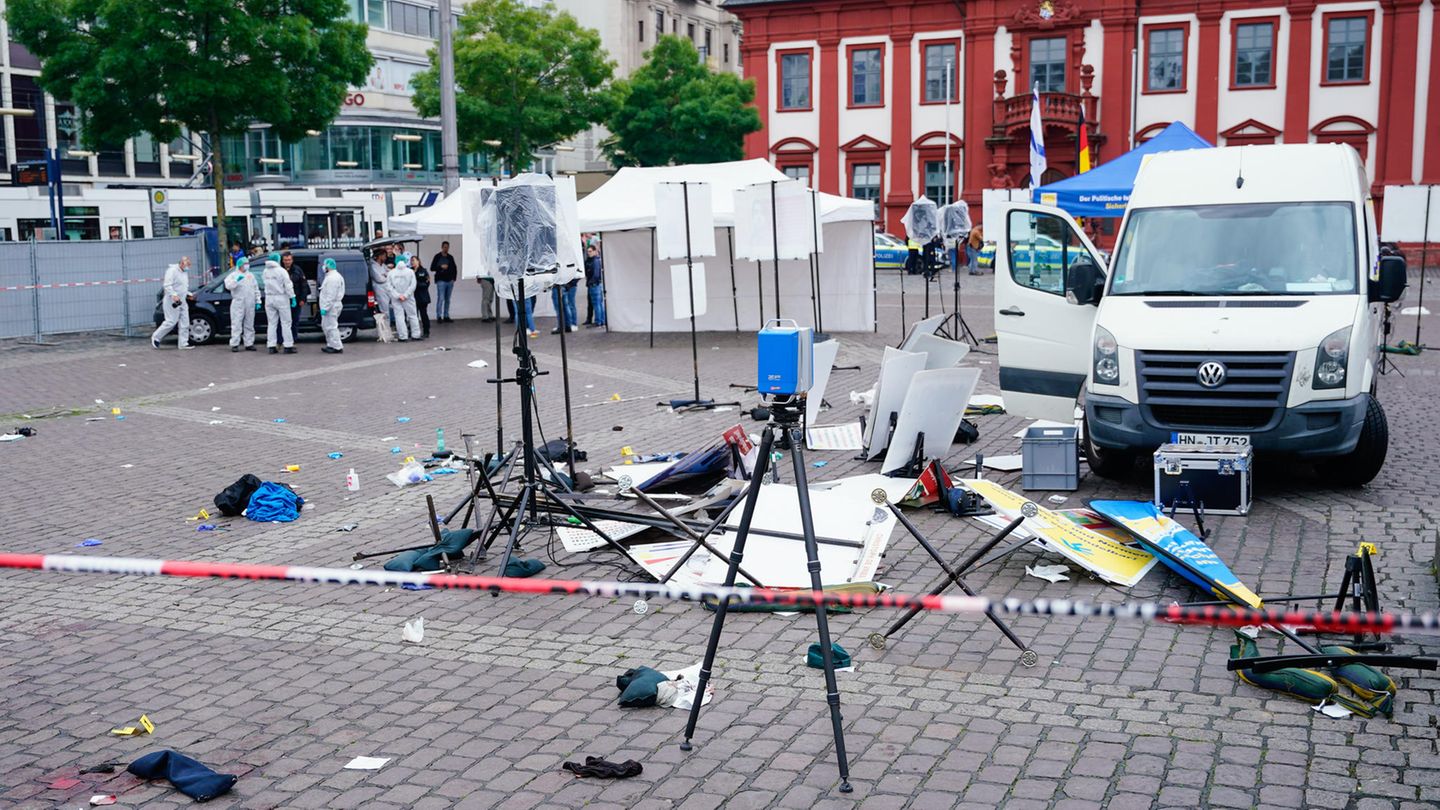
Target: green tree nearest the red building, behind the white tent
676, 110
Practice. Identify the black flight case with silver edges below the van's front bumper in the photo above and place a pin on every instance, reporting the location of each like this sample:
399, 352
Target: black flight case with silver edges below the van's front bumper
1218, 478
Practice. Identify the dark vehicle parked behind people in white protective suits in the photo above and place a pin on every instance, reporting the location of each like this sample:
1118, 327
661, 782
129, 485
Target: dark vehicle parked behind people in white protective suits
211, 309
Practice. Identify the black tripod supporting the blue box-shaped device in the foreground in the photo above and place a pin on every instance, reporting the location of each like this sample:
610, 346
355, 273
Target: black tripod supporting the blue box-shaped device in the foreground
786, 420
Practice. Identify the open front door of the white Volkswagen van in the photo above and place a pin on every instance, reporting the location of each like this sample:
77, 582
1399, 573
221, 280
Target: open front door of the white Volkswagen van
1045, 341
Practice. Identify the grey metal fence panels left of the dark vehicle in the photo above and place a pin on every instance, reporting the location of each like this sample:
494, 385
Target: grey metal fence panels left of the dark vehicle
68, 288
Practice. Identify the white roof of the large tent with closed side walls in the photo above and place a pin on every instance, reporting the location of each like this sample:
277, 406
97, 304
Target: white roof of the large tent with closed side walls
627, 201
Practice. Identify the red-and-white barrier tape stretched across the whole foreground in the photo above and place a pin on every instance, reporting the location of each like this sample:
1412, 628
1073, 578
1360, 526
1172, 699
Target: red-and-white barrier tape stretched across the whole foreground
1226, 616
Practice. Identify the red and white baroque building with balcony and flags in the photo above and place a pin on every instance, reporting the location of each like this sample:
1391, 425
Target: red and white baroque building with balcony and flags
853, 93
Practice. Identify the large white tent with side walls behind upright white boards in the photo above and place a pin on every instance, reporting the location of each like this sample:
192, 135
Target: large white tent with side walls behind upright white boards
639, 288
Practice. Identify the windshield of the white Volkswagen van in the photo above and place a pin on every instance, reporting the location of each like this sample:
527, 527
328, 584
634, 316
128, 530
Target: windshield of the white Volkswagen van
1238, 250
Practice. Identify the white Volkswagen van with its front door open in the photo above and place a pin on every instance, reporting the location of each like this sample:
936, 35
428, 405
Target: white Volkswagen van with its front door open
1242, 305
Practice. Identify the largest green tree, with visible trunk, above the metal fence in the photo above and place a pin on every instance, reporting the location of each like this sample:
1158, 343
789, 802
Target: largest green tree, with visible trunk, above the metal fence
212, 67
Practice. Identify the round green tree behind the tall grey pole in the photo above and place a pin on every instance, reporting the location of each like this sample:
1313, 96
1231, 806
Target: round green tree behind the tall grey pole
526, 79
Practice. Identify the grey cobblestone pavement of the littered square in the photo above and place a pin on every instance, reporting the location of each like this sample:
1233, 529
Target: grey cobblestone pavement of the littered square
283, 684
